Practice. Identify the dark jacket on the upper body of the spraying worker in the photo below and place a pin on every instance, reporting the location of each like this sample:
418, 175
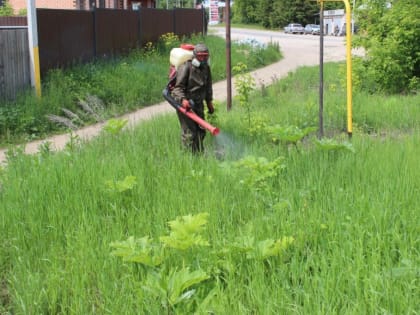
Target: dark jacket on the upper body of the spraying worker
193, 83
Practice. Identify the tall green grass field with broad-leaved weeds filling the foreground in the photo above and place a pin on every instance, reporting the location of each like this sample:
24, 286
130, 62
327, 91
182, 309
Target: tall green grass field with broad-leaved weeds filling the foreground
265, 222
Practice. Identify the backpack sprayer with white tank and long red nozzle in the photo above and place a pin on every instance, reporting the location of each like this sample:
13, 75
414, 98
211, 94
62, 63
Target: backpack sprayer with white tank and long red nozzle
177, 57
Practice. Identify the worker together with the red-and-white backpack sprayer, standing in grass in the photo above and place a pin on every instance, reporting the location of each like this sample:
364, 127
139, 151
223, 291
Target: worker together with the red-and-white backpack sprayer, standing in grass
190, 85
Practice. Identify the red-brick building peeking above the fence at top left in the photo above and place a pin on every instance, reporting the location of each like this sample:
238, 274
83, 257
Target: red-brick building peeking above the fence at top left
19, 5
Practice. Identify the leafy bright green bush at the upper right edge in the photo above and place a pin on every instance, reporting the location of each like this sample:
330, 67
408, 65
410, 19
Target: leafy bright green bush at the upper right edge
389, 34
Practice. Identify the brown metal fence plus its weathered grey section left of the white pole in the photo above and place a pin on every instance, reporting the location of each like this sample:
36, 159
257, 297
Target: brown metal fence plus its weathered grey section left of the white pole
68, 36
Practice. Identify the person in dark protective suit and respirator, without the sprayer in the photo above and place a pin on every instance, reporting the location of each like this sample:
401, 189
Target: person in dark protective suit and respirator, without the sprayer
193, 87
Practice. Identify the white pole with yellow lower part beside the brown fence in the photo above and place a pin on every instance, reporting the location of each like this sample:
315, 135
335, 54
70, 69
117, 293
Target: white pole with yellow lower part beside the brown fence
33, 47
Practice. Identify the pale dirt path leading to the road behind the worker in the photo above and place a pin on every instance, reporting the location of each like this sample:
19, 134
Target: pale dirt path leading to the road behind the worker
298, 50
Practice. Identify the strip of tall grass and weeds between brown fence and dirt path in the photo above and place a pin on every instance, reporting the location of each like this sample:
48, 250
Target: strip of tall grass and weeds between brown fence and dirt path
112, 87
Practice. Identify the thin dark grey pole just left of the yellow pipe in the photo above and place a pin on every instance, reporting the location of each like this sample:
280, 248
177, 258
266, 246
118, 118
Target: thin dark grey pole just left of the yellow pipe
321, 70
